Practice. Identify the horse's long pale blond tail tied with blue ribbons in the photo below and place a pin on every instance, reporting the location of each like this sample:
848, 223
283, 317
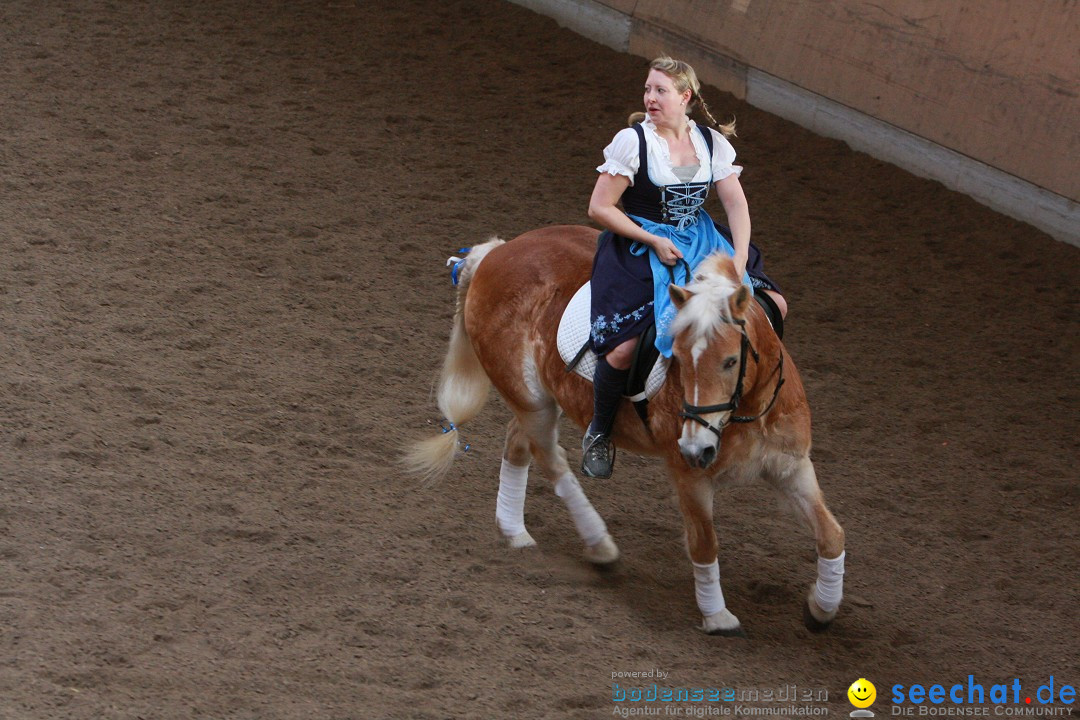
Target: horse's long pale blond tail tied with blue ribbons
464, 386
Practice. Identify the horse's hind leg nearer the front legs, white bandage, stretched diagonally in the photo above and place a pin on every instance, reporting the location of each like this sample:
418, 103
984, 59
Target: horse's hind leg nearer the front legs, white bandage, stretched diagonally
542, 428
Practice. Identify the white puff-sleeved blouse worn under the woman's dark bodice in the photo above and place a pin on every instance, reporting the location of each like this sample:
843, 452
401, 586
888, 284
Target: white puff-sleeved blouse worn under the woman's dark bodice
622, 156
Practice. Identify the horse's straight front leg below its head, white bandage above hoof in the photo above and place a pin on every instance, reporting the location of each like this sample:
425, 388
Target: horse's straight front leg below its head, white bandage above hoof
695, 493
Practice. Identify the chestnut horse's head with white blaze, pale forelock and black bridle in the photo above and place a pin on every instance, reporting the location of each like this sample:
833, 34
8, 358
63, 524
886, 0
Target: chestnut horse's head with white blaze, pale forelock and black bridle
713, 348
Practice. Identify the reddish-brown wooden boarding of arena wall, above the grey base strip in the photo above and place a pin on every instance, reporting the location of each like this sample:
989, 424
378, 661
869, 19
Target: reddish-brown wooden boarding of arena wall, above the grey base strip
975, 77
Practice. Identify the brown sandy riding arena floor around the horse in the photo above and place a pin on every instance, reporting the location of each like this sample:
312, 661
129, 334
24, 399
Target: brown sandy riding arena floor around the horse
223, 306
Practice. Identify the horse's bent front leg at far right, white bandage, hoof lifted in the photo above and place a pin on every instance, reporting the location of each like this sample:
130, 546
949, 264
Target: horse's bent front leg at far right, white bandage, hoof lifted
802, 490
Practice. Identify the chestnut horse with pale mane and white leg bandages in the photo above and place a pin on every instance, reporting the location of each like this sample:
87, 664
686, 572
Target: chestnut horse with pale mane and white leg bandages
733, 407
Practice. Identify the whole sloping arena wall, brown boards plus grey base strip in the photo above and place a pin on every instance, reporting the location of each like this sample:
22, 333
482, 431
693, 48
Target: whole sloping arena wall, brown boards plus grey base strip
991, 84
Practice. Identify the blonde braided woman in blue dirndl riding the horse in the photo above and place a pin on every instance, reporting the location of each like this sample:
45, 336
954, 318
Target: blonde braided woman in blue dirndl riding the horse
660, 169
